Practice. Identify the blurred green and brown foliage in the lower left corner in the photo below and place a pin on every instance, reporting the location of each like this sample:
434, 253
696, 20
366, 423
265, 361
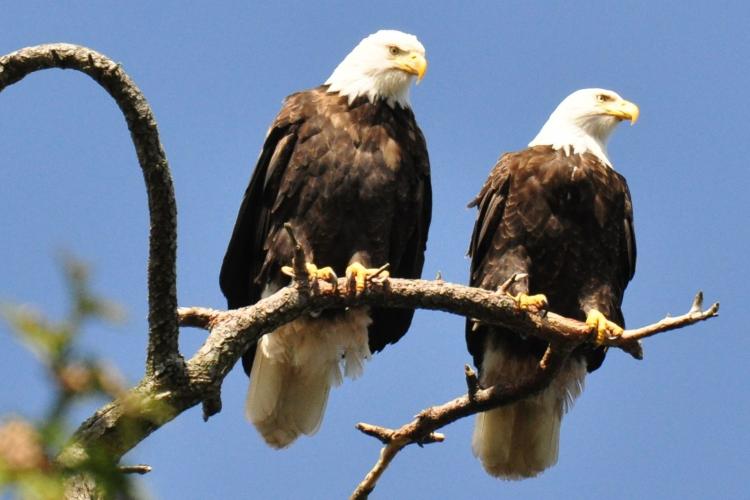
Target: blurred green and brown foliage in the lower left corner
28, 448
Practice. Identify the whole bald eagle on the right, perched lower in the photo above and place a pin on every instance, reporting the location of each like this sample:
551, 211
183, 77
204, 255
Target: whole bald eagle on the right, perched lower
558, 214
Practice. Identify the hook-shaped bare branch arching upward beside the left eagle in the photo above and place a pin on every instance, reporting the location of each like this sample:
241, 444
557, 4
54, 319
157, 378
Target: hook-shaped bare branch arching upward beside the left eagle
163, 354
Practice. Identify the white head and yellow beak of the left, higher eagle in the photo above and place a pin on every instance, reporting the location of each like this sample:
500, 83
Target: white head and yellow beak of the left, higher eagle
381, 66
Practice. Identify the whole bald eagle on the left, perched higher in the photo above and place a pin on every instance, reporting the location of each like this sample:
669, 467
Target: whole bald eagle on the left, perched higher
346, 165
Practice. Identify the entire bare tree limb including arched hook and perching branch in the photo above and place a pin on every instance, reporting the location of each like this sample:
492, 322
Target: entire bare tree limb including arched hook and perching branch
171, 386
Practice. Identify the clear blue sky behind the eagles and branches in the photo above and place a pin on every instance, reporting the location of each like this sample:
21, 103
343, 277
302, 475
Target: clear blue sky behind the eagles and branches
671, 426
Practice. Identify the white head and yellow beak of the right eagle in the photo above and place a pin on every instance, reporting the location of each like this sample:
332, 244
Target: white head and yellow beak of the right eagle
584, 120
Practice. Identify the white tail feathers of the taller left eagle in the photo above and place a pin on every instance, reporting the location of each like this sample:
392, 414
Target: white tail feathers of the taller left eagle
294, 369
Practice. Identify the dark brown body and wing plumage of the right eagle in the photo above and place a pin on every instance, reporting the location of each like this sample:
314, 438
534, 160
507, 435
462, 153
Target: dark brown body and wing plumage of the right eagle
567, 222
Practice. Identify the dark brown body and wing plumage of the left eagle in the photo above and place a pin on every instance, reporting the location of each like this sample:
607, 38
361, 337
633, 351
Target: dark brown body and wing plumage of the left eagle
353, 179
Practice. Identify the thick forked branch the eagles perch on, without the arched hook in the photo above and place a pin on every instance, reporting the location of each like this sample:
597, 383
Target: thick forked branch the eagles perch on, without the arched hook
126, 421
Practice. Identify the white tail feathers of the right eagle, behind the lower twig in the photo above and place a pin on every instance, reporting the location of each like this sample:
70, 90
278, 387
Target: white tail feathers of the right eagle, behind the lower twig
522, 440
